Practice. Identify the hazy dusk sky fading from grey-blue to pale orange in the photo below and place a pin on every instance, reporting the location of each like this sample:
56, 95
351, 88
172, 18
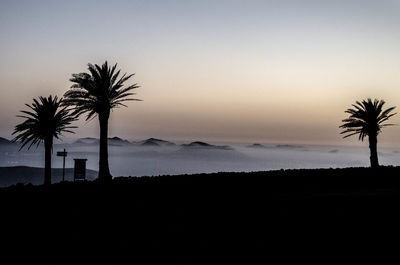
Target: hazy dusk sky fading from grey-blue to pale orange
247, 71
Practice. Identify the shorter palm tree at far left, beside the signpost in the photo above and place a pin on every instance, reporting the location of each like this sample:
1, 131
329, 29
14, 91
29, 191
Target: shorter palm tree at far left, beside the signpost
45, 119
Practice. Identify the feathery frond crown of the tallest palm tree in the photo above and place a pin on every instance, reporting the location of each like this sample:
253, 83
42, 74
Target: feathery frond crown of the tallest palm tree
100, 91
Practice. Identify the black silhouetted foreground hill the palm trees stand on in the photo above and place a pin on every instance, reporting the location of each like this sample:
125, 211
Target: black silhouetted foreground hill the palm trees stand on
334, 215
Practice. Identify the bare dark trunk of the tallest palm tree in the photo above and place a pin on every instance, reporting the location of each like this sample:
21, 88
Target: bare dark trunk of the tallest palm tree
104, 170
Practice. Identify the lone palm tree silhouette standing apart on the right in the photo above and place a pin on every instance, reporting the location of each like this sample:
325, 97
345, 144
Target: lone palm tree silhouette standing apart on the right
366, 119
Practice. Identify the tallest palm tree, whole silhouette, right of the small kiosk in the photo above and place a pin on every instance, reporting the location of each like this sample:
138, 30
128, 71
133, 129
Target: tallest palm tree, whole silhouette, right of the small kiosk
97, 93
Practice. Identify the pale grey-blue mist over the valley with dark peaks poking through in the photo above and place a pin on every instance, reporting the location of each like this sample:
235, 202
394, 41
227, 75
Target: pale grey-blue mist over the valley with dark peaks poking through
154, 157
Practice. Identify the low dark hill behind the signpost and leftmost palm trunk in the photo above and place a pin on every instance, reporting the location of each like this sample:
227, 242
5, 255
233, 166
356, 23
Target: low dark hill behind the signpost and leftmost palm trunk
22, 174
